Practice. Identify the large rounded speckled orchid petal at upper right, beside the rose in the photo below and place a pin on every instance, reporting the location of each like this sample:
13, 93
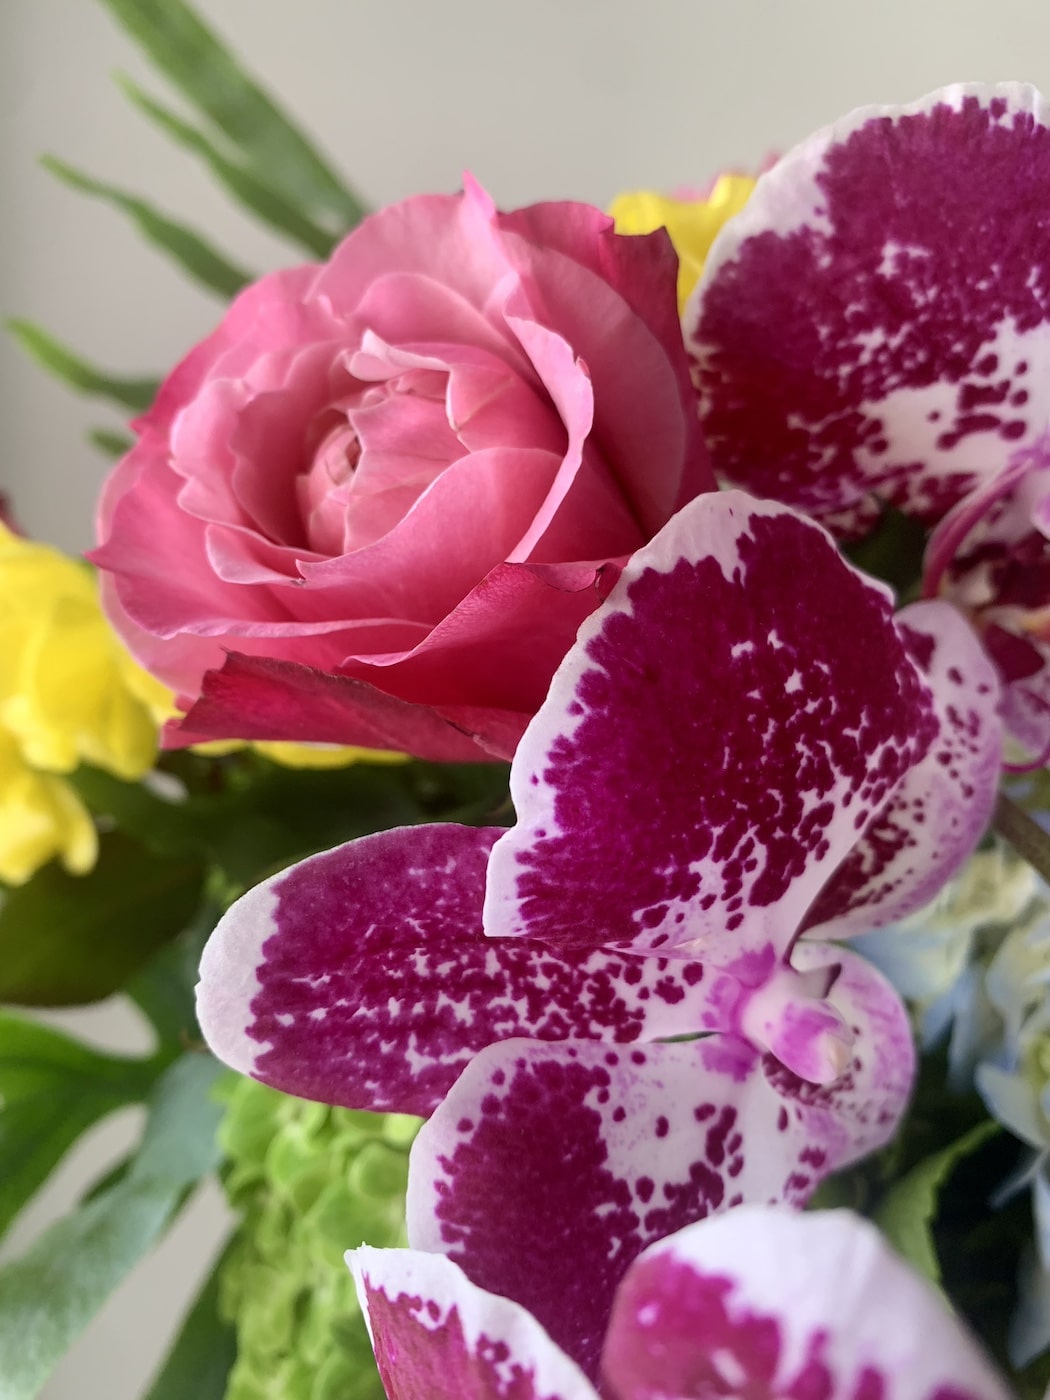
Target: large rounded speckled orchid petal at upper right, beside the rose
923, 359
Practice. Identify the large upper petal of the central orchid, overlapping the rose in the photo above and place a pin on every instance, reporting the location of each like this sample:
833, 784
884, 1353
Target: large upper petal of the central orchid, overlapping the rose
712, 747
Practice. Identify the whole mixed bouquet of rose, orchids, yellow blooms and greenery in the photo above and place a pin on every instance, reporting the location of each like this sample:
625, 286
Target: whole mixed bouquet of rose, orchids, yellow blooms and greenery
572, 689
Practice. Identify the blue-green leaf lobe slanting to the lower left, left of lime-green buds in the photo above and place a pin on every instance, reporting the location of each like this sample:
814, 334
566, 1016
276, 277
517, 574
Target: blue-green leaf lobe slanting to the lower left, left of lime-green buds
54, 1291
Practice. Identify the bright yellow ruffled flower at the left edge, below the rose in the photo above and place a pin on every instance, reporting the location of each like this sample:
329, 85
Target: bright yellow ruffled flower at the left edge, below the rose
69, 694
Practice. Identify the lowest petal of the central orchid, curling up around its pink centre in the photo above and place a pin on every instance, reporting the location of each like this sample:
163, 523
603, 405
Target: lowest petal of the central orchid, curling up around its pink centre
549, 1168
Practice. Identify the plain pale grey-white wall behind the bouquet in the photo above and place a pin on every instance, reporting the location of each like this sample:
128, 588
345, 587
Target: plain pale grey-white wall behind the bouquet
542, 99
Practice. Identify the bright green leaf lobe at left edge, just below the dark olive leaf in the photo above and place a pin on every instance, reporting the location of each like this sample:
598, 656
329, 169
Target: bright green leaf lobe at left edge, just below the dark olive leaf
52, 1088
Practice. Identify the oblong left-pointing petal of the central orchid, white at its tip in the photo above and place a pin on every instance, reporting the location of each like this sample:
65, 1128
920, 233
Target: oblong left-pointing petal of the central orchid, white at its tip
362, 976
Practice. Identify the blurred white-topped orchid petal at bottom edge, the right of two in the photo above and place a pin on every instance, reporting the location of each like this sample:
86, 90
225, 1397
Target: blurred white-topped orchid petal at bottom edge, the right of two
766, 1304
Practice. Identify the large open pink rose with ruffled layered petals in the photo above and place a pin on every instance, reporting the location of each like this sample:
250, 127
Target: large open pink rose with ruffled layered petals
376, 505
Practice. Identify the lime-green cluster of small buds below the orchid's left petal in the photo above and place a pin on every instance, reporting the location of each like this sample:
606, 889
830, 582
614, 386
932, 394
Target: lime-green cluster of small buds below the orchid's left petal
309, 1182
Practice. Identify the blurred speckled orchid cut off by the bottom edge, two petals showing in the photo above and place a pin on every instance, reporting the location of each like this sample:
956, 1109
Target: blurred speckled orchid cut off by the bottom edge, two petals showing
759, 1303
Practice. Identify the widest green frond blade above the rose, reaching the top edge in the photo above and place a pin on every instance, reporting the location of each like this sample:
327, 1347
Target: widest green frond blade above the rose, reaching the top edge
208, 75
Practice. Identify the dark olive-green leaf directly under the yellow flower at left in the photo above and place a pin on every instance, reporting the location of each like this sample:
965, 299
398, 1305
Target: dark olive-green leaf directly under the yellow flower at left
72, 939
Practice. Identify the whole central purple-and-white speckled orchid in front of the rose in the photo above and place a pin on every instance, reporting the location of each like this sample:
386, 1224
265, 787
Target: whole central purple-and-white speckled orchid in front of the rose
610, 1013
